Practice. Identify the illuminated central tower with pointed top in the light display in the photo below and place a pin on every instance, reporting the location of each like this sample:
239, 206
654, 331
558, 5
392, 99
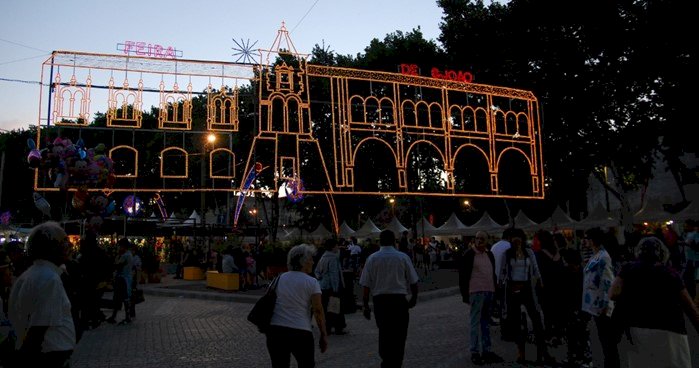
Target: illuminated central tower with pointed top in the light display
284, 143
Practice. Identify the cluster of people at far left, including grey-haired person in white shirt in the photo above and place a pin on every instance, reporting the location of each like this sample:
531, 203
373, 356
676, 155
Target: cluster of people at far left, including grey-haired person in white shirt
52, 292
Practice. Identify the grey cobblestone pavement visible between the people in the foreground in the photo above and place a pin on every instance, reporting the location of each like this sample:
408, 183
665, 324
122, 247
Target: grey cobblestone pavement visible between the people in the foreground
185, 331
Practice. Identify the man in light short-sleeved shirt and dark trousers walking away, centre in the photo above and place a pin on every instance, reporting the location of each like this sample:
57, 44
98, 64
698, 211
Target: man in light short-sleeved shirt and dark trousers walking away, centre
388, 275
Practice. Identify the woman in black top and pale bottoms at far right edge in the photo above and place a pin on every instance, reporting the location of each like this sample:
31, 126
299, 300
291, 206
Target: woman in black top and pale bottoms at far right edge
658, 301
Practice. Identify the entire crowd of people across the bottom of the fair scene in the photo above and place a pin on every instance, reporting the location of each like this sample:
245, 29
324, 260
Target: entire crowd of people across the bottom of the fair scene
544, 290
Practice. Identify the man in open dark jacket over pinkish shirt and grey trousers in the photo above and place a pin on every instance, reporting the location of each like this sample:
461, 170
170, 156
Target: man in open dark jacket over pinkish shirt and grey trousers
477, 284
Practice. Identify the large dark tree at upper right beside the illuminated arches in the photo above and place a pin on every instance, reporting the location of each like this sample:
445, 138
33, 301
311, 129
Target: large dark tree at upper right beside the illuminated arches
603, 108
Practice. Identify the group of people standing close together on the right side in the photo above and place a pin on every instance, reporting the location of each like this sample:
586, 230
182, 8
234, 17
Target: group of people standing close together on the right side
558, 290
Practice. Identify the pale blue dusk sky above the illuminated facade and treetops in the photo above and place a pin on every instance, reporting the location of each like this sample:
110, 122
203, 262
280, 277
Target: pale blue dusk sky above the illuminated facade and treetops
202, 30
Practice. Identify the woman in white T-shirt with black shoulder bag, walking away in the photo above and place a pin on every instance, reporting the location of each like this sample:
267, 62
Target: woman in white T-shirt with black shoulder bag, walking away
298, 297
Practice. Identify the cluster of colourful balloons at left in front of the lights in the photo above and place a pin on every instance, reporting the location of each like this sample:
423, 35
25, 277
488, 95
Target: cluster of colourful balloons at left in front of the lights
72, 164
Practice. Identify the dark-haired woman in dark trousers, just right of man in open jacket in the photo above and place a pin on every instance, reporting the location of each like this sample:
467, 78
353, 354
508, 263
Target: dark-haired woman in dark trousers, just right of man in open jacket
519, 274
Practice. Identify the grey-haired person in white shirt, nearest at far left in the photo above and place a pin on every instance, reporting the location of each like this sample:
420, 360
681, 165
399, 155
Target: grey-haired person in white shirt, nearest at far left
39, 308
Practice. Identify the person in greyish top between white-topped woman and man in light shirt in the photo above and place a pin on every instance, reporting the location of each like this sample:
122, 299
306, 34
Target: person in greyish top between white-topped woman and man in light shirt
329, 275
